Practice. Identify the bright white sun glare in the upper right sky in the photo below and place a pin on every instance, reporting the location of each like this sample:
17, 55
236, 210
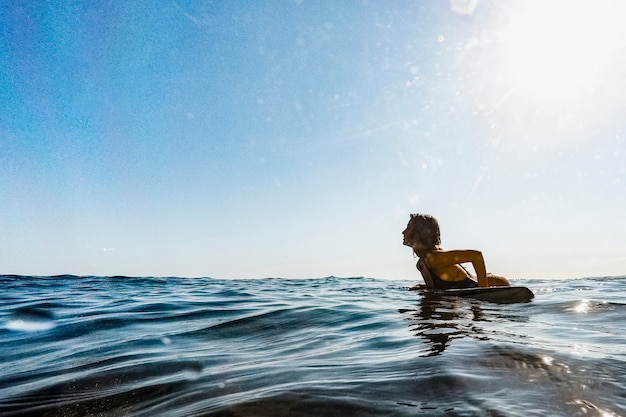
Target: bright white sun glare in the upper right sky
558, 49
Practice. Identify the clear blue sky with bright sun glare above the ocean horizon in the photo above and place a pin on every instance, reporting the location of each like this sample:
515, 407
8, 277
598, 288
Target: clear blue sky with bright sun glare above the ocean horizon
239, 139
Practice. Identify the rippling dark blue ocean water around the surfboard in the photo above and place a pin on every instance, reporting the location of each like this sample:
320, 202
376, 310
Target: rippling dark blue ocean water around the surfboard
119, 346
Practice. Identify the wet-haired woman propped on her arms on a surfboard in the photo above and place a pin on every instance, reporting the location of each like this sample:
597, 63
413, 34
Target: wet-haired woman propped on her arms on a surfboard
440, 268
